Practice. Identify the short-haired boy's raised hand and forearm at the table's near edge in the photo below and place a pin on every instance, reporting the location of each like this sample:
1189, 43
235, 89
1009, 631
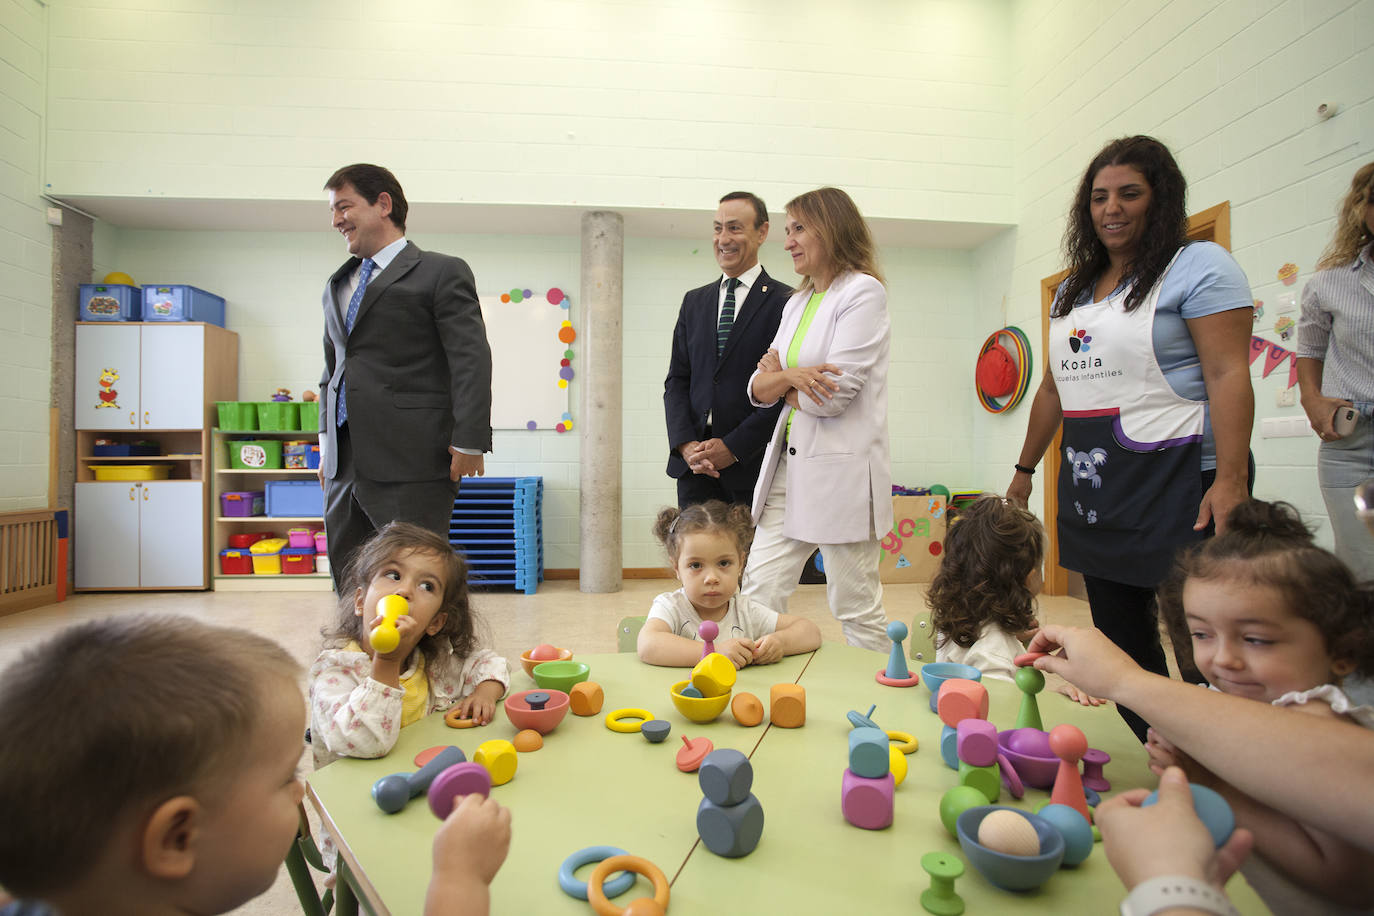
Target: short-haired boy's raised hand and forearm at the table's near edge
469, 851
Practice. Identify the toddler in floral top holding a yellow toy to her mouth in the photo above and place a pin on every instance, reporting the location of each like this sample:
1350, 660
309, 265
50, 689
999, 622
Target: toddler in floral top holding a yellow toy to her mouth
361, 698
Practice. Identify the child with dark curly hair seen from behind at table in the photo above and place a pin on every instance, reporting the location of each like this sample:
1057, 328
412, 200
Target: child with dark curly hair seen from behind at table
983, 597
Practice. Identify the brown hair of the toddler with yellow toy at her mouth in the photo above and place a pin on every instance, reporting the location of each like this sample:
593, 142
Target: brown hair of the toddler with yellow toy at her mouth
391, 543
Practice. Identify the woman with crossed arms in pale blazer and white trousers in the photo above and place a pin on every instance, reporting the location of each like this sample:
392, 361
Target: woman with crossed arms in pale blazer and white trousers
826, 480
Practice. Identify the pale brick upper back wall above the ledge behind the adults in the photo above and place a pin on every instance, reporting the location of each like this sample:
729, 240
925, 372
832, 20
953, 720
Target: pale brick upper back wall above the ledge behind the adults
538, 102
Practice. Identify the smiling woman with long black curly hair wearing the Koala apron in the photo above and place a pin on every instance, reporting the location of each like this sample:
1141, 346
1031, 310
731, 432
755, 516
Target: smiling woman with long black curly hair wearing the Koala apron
1149, 374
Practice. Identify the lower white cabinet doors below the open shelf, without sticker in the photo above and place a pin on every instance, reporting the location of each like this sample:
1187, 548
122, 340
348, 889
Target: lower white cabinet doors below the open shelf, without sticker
141, 535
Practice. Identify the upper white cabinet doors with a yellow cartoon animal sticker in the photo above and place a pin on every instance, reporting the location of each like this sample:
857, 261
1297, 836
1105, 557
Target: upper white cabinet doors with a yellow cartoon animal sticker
141, 377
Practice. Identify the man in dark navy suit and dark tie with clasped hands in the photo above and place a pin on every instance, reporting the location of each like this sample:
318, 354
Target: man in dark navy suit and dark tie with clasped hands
717, 437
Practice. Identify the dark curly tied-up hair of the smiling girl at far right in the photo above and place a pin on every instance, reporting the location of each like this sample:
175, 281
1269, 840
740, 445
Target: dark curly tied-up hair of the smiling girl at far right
1268, 545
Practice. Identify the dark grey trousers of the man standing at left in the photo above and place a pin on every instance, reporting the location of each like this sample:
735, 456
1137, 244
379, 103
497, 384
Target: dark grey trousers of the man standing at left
355, 509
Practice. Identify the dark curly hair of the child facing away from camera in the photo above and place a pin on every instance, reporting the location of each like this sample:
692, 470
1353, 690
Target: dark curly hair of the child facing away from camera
991, 550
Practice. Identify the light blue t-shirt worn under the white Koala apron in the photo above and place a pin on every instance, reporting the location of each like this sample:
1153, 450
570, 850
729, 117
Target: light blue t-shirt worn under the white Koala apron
1204, 281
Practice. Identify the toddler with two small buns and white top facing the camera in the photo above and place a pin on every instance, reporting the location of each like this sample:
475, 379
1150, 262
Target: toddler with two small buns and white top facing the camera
708, 546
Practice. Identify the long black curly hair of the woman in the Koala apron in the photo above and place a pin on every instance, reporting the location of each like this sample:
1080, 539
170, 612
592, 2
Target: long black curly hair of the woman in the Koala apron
1166, 226
